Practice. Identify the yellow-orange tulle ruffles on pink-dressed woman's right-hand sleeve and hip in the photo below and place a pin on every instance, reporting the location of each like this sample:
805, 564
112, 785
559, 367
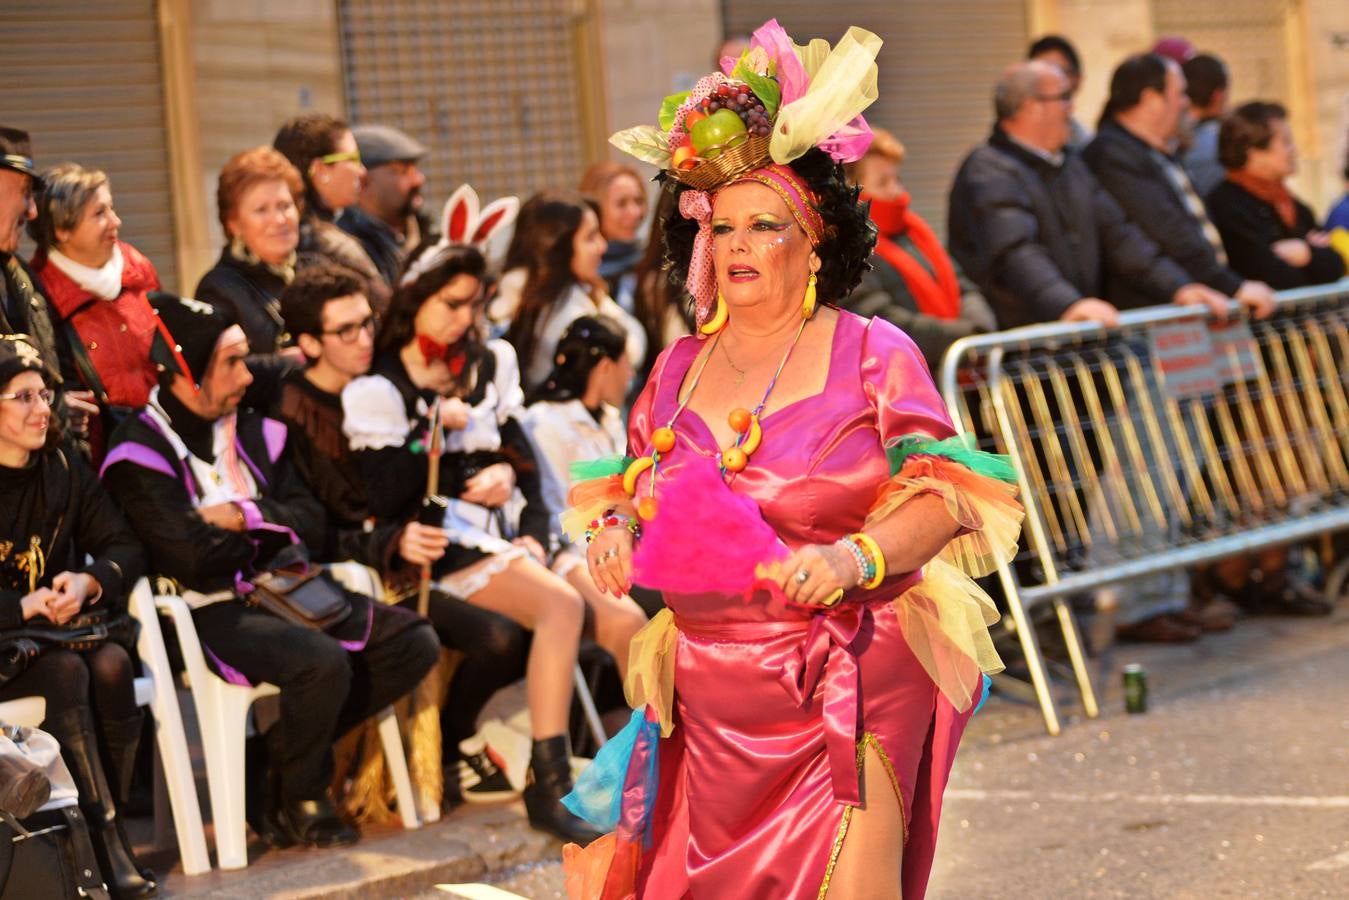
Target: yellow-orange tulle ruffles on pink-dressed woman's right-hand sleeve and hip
946, 617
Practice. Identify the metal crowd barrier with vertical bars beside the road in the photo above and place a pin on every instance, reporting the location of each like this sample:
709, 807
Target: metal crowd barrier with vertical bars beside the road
1165, 443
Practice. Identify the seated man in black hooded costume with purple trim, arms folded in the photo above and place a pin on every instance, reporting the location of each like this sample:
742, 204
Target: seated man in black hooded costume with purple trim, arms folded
211, 493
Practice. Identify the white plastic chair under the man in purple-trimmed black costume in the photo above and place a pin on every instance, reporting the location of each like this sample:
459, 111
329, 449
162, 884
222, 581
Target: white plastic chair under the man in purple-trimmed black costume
223, 719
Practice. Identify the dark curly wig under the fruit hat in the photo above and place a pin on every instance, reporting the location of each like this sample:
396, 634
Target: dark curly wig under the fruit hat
849, 234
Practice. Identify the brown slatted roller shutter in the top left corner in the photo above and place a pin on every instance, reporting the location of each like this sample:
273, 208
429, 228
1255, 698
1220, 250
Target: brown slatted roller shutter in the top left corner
84, 80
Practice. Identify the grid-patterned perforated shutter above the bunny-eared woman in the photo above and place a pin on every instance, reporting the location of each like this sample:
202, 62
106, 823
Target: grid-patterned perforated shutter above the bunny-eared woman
493, 88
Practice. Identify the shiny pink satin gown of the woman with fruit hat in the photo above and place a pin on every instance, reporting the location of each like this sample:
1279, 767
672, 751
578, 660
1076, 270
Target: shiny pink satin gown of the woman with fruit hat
775, 702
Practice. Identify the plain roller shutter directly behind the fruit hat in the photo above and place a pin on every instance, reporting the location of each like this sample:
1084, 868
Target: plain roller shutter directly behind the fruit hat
938, 68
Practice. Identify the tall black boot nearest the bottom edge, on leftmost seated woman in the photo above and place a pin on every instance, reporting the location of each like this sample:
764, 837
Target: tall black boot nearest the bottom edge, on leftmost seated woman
80, 750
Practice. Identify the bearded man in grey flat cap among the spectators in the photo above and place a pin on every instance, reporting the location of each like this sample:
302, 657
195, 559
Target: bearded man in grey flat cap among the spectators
386, 215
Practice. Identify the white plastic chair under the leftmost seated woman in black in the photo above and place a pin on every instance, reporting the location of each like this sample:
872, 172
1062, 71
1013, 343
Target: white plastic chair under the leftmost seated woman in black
154, 690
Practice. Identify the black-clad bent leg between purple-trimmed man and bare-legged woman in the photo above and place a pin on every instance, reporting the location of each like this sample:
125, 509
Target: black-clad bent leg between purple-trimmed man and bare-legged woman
496, 651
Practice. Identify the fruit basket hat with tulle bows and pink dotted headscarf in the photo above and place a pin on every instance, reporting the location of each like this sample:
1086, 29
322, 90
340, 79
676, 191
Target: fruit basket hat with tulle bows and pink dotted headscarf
751, 121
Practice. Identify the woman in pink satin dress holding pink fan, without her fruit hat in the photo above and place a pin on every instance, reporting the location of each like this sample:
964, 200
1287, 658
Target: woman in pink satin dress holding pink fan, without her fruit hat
797, 492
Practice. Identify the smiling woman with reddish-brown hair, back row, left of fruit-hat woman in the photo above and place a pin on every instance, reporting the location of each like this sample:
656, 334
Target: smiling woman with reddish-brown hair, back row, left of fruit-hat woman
621, 198
